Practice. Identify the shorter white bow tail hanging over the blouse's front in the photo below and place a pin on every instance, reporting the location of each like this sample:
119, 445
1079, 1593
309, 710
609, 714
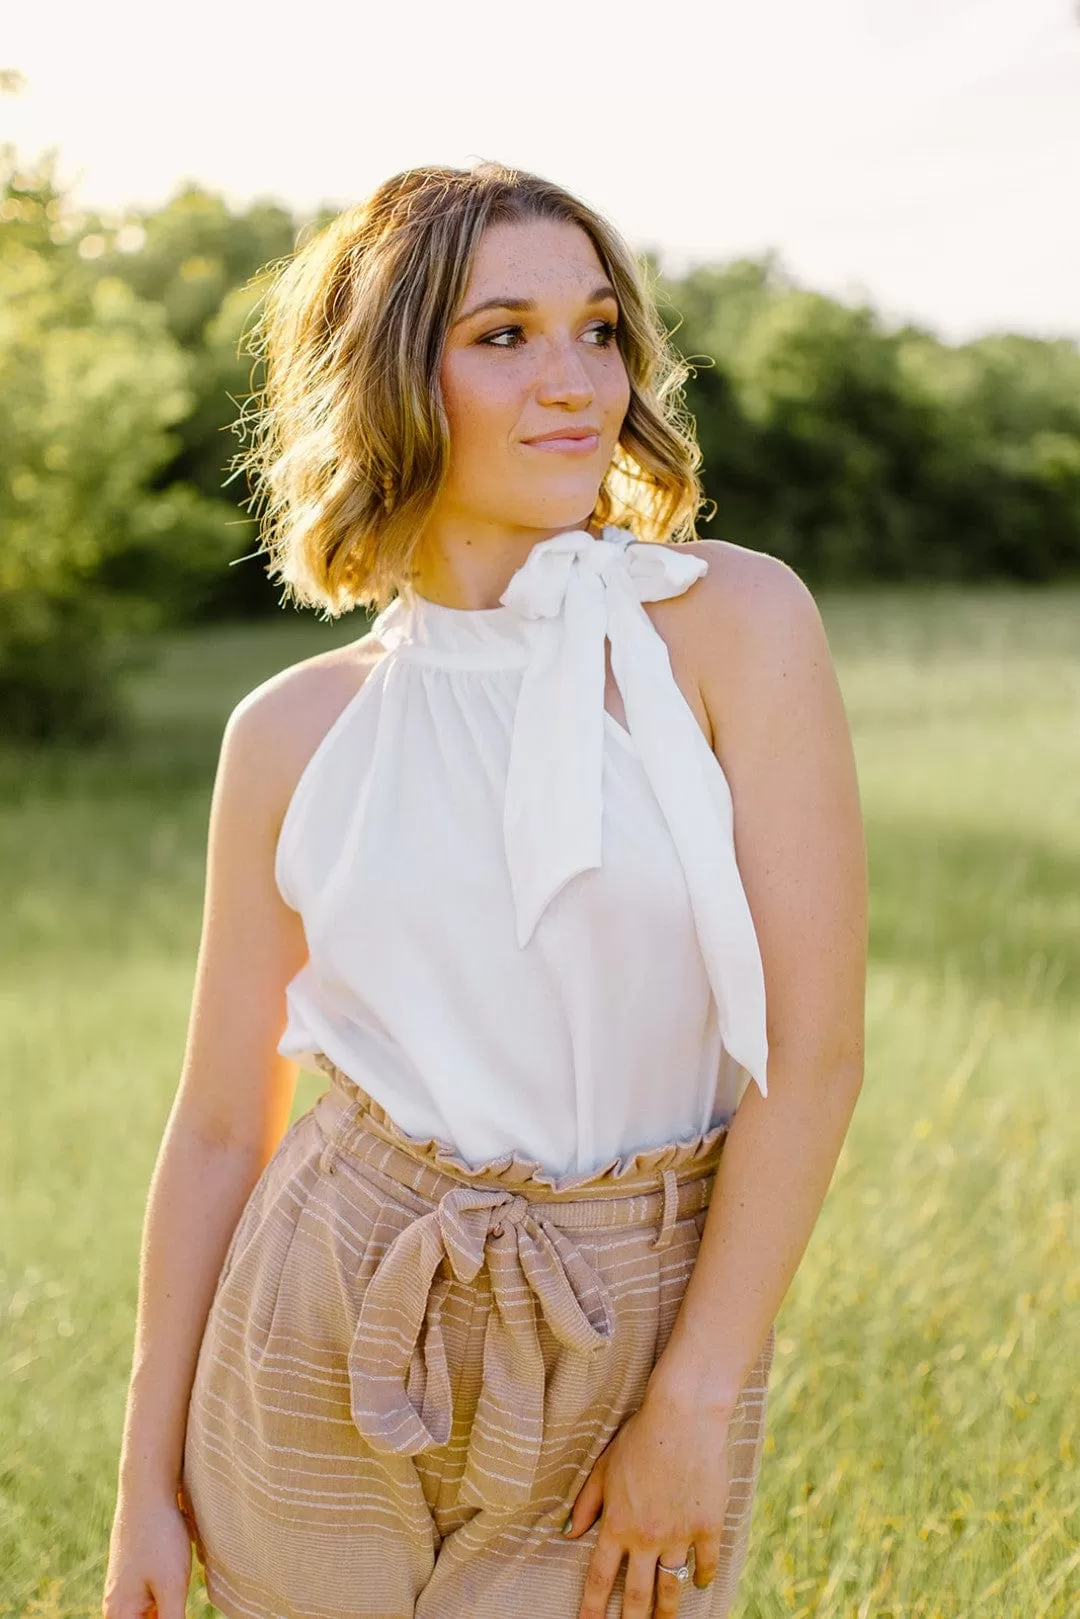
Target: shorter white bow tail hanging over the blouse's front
553, 810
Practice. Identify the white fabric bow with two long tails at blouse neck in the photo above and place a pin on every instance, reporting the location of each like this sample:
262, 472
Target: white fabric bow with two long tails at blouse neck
593, 590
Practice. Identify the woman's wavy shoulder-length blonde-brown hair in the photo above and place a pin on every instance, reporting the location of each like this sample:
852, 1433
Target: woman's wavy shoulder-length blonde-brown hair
349, 438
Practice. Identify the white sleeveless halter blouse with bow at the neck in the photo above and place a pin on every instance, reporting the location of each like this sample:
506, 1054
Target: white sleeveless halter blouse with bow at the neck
527, 928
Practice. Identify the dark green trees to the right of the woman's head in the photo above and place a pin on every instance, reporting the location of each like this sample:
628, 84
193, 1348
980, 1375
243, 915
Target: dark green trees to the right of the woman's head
854, 451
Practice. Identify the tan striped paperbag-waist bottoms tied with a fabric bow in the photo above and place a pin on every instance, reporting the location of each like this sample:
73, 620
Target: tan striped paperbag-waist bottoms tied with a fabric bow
412, 1366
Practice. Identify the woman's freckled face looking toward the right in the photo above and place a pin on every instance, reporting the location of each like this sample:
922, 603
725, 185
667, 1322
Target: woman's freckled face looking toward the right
511, 375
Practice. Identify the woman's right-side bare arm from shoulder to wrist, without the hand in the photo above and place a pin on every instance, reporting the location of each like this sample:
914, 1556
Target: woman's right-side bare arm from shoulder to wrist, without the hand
783, 737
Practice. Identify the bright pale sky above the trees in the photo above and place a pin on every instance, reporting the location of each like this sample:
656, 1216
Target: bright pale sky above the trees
921, 153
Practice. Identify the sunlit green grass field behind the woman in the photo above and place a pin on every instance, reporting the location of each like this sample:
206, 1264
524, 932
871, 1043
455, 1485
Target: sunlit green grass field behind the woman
924, 1442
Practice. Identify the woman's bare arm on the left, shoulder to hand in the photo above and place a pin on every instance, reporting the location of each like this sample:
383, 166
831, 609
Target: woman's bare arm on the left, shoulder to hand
231, 1113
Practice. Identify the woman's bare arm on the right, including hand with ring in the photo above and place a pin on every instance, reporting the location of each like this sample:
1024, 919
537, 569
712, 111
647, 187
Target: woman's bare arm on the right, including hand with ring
750, 637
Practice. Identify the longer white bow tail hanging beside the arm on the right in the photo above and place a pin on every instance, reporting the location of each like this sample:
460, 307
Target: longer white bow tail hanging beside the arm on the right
697, 804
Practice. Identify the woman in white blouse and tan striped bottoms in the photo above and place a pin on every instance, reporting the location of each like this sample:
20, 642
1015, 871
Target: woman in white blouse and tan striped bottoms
524, 1257
